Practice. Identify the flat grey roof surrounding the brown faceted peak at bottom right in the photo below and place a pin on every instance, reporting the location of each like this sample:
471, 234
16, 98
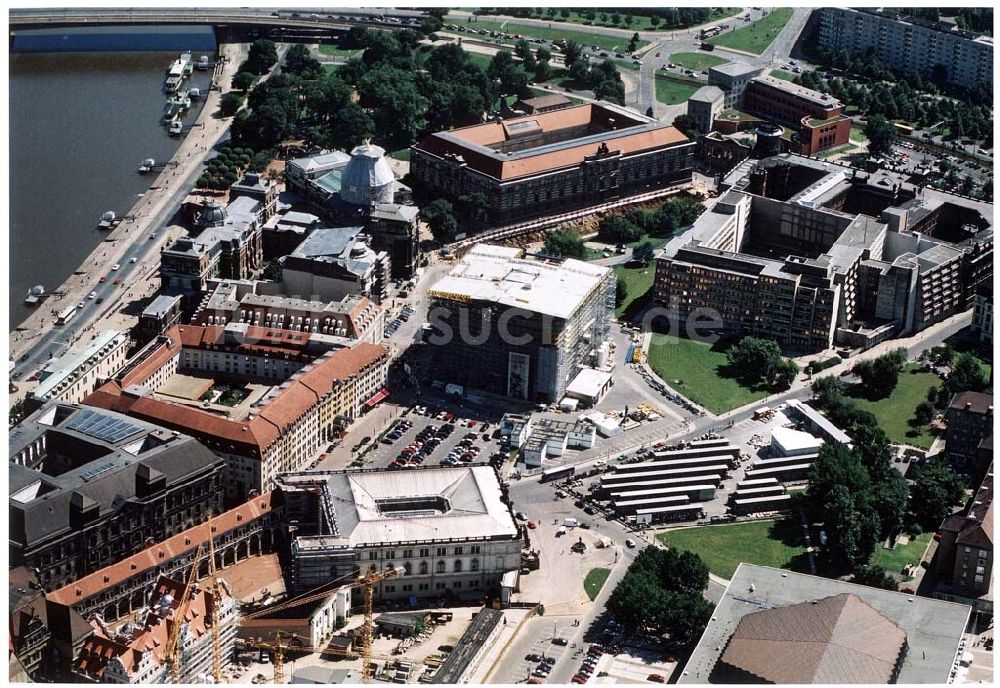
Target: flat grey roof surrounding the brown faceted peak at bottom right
933, 627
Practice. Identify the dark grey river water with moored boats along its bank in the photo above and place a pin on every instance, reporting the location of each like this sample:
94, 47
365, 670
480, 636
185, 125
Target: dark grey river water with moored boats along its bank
80, 124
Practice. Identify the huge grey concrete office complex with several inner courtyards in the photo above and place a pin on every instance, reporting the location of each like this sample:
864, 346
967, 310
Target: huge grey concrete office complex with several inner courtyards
811, 254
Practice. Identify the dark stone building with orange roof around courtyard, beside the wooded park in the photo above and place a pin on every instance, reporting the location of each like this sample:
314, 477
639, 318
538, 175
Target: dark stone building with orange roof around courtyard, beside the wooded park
569, 157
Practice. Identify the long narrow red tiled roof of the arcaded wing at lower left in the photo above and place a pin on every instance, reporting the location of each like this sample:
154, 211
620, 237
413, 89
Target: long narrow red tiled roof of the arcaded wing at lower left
159, 554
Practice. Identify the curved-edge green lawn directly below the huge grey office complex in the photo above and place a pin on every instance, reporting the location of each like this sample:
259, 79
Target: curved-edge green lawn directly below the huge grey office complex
699, 367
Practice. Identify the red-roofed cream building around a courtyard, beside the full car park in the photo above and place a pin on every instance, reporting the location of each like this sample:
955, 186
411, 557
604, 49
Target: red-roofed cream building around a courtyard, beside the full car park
263, 399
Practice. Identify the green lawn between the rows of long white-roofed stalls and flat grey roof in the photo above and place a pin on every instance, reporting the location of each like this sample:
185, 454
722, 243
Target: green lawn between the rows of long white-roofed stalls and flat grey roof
766, 543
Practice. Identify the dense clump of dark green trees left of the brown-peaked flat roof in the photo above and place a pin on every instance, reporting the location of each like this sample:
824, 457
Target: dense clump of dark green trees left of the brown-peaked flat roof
662, 593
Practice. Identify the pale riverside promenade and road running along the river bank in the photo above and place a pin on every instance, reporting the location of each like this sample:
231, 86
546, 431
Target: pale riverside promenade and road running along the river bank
130, 237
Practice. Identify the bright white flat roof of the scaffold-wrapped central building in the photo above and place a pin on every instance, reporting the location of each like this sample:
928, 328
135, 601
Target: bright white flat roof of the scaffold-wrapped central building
499, 275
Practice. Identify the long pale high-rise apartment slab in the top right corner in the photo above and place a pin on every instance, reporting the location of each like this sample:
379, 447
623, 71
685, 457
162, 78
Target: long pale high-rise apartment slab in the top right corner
909, 44
